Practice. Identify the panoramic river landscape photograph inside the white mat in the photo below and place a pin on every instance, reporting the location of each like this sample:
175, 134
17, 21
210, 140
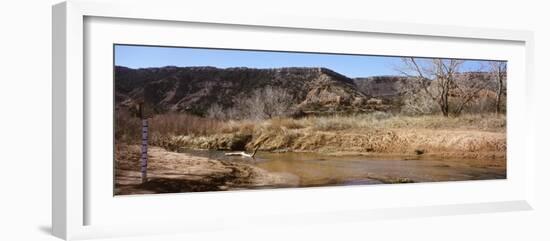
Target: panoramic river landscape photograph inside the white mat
192, 119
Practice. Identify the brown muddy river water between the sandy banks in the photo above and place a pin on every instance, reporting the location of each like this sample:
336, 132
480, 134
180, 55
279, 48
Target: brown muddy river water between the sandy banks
314, 169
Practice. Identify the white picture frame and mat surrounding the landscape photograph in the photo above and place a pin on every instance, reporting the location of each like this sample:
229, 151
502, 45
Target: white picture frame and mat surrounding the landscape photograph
74, 185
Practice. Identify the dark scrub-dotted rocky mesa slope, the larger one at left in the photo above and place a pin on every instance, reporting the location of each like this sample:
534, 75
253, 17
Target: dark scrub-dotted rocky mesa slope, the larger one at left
196, 89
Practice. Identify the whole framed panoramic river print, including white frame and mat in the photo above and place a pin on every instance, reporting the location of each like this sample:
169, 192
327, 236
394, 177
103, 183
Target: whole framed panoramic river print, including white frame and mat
179, 121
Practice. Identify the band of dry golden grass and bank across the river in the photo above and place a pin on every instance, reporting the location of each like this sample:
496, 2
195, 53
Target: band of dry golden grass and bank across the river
467, 135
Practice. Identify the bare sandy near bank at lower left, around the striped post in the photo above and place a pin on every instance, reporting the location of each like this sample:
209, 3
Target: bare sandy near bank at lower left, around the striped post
170, 172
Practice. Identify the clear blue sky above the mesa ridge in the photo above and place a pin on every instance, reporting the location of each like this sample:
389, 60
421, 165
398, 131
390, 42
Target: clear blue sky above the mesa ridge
350, 65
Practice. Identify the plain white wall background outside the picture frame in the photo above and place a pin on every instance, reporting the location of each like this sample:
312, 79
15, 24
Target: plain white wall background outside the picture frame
25, 119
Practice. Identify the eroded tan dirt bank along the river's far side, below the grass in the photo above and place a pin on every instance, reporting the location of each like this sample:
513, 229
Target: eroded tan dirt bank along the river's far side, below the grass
471, 144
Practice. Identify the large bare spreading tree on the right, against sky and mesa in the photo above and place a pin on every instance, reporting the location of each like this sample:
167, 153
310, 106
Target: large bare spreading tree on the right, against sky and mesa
442, 81
